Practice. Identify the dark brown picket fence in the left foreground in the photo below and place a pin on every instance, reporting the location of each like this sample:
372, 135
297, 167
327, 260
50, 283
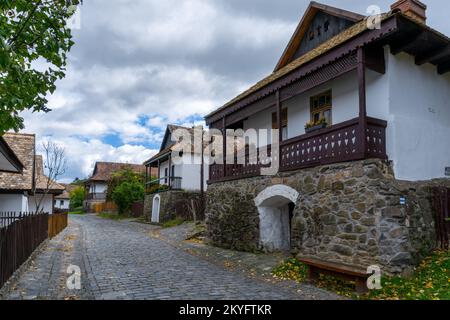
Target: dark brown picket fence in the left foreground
20, 235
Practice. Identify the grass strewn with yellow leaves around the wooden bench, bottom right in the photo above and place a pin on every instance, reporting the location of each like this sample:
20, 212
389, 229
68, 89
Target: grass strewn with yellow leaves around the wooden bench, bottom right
430, 281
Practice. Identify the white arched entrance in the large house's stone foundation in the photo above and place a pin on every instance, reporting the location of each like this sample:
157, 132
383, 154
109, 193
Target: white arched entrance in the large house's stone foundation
275, 206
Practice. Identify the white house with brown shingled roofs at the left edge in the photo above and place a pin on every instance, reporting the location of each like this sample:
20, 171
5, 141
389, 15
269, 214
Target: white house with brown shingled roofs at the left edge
22, 191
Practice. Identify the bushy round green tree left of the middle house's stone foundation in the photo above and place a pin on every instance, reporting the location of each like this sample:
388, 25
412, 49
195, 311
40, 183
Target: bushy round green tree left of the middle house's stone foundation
126, 194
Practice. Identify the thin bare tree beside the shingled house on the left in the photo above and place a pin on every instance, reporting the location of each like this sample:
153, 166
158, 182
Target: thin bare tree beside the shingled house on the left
56, 165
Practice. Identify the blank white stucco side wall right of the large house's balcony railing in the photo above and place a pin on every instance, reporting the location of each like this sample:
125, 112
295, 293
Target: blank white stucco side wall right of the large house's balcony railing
419, 119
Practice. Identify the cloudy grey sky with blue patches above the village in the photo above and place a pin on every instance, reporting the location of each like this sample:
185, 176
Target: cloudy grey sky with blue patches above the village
140, 64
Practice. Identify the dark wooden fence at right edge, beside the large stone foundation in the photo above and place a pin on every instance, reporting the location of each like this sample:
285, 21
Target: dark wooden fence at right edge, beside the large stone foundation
441, 207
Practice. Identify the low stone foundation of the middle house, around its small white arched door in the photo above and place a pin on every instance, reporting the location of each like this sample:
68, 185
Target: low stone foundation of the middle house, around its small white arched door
174, 204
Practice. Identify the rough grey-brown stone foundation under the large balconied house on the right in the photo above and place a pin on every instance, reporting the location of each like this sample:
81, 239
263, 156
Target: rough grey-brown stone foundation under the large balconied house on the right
350, 213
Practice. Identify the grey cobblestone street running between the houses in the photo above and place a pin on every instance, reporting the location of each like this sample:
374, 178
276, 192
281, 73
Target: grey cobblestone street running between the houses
128, 260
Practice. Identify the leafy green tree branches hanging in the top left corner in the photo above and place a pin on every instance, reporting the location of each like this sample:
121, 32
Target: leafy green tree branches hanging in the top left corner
34, 41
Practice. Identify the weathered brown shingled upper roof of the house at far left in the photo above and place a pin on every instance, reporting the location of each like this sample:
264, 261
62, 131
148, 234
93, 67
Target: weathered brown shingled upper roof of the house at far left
23, 146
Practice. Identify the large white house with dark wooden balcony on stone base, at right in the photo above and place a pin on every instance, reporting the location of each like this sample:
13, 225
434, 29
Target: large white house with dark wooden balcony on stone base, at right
362, 104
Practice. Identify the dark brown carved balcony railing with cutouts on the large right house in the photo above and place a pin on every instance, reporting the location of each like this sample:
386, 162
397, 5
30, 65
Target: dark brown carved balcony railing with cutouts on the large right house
339, 143
